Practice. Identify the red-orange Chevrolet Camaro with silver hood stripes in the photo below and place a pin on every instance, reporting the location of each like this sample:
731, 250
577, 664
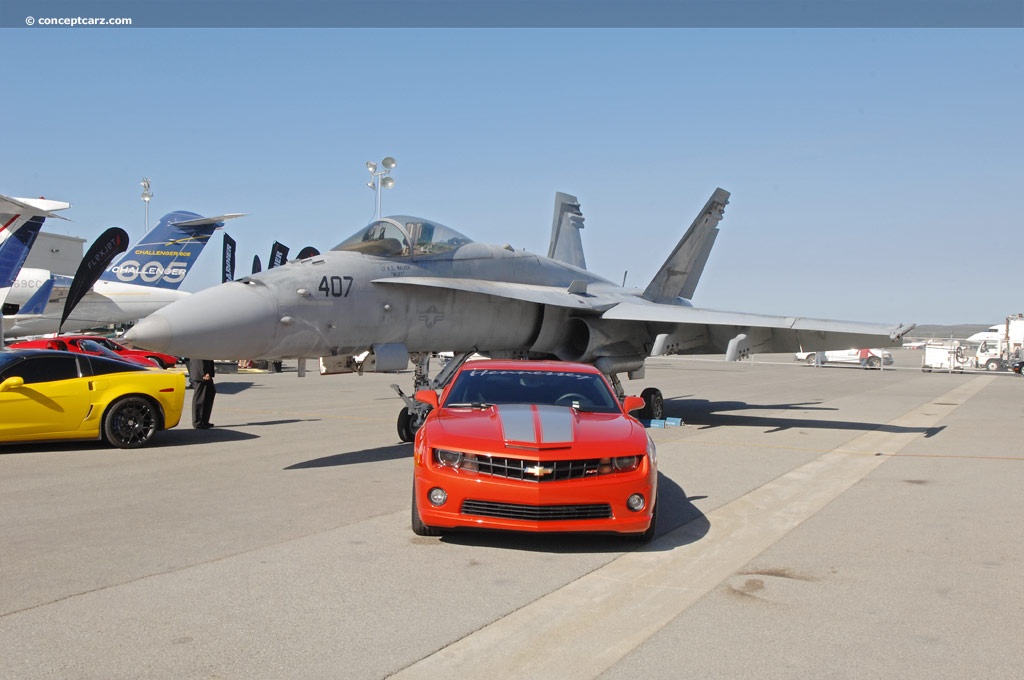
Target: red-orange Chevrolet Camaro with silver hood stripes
533, 447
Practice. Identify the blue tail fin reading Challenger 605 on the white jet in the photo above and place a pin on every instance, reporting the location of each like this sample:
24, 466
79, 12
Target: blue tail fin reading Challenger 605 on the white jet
166, 254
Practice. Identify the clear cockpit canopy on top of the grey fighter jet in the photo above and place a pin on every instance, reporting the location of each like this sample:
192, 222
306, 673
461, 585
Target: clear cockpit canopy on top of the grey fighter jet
392, 238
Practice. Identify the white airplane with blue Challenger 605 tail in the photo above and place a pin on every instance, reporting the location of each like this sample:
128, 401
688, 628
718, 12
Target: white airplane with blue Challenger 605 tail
145, 280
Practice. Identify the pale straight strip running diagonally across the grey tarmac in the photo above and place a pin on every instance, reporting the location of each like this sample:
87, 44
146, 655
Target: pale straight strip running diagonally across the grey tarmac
602, 617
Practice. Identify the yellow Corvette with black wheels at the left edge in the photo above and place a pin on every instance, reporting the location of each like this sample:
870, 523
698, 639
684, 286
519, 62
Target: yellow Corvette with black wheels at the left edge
48, 396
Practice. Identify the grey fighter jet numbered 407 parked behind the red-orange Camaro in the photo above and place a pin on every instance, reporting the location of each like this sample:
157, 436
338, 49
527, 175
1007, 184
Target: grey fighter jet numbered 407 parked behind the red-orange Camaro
405, 287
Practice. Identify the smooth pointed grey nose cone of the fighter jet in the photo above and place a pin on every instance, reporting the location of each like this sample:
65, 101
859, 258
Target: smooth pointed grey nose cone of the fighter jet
231, 321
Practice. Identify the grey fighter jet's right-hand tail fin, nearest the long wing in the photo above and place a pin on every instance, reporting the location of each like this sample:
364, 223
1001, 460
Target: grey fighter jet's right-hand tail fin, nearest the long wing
681, 272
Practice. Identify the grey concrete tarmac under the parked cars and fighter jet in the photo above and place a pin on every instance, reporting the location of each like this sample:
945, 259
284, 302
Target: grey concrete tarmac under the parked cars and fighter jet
828, 523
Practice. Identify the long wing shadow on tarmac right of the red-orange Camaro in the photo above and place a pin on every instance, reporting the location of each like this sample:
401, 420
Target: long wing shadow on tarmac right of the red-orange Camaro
705, 414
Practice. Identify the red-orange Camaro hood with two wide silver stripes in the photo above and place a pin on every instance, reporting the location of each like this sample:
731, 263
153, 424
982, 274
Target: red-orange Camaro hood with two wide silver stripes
535, 428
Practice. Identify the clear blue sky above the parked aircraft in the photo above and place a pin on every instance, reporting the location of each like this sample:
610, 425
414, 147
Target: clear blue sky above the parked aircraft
876, 175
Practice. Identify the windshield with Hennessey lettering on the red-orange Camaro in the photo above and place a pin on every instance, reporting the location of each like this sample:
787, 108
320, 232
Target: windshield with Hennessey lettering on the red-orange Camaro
482, 388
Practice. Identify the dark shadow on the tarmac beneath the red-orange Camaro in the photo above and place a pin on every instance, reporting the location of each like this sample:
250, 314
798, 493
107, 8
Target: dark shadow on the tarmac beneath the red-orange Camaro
674, 511
